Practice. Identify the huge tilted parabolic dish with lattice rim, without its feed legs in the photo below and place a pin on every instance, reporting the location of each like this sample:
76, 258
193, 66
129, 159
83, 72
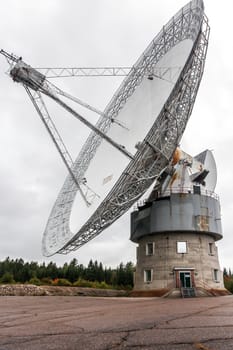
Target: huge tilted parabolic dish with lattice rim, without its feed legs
155, 111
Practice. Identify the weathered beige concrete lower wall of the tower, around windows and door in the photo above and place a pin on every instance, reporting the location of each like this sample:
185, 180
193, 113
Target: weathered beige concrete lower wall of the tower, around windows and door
166, 262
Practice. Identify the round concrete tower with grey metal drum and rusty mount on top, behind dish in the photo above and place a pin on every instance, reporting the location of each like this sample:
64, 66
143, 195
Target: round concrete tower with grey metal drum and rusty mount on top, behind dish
176, 230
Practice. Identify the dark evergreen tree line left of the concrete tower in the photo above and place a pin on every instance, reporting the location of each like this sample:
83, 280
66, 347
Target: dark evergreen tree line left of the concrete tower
19, 271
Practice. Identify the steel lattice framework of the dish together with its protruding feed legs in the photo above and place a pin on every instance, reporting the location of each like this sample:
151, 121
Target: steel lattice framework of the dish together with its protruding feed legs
153, 154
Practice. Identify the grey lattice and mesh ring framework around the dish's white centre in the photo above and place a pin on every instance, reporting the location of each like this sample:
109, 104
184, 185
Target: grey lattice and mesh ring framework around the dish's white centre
157, 148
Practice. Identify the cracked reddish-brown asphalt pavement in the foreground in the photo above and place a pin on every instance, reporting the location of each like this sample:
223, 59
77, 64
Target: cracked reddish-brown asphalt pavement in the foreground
73, 323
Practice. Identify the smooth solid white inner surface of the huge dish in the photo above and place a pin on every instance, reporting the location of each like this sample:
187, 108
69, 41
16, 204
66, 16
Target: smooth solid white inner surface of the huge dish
138, 115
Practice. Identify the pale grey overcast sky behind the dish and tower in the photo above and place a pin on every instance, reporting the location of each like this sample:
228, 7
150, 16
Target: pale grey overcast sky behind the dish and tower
52, 33
